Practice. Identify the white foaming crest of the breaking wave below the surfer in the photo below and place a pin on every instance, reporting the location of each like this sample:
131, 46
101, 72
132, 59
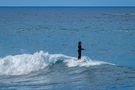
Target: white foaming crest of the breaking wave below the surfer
27, 63
